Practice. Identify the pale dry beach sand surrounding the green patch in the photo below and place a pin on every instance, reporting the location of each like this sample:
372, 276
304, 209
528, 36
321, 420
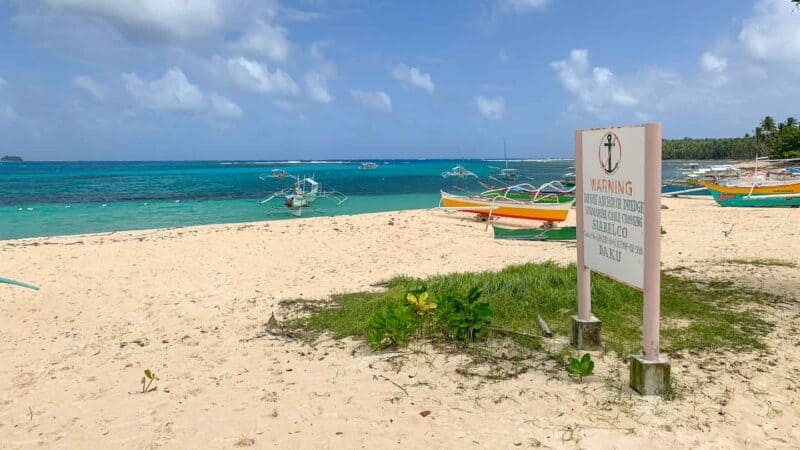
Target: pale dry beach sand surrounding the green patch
182, 302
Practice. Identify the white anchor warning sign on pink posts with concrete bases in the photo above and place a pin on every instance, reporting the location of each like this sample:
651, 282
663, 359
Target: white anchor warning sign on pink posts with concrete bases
618, 191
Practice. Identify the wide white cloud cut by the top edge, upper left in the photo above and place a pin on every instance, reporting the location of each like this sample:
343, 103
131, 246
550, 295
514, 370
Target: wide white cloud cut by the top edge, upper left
144, 19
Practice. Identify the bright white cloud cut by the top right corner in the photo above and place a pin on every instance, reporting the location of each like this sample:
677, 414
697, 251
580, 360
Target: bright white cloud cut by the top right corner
772, 33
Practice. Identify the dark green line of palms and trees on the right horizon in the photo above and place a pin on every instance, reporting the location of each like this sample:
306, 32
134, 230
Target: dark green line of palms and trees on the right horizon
777, 140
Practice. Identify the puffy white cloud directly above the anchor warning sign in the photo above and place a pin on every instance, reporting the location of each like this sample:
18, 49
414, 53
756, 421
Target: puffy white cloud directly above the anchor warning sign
596, 88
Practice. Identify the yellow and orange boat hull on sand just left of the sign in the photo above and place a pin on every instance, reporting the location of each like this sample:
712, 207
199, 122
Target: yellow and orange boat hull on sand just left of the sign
506, 207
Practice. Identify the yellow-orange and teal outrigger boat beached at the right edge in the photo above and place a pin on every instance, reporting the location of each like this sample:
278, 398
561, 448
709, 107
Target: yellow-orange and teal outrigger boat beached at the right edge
759, 195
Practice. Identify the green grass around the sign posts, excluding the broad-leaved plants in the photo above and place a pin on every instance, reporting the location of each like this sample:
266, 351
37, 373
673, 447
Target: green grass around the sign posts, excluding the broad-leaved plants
695, 315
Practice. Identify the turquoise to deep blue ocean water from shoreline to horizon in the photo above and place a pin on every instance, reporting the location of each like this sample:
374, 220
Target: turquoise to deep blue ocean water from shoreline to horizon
61, 198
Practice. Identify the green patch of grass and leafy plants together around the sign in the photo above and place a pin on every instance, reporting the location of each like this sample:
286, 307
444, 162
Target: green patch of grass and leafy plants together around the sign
696, 315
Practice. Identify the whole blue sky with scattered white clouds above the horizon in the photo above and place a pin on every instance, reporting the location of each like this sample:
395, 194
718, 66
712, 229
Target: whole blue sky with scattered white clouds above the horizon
247, 79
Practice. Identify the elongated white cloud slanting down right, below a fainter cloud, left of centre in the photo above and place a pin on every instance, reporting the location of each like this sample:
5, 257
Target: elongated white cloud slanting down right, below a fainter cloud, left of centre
255, 76
